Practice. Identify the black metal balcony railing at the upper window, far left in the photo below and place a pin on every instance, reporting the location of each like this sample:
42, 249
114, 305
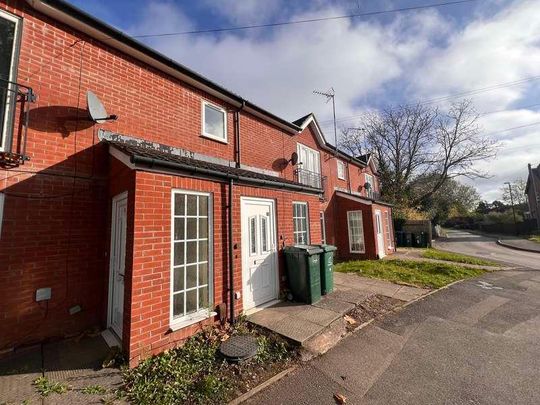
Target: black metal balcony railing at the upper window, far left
15, 100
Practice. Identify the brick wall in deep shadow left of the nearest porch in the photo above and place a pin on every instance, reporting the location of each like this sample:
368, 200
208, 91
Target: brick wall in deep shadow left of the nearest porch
54, 235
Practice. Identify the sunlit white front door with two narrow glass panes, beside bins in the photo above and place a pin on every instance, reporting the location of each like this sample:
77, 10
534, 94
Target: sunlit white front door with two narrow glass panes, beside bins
259, 252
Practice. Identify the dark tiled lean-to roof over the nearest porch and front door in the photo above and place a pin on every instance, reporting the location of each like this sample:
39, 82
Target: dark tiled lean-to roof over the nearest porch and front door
144, 154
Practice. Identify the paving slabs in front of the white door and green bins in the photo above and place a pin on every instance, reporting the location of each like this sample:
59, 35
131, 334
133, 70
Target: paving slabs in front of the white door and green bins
303, 323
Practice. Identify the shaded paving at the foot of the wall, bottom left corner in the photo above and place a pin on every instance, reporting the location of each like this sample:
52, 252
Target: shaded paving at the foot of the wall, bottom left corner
74, 362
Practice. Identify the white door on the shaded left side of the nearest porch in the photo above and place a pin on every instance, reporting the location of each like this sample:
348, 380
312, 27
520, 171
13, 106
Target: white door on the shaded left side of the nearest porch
117, 263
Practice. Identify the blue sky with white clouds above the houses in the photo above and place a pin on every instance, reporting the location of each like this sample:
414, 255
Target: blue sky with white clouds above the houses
492, 46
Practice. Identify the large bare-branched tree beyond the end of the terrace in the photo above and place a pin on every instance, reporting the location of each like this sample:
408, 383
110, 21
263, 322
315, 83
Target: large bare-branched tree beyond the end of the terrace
413, 143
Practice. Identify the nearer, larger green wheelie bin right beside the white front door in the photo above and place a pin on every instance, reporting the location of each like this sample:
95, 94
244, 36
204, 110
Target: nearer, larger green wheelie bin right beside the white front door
304, 272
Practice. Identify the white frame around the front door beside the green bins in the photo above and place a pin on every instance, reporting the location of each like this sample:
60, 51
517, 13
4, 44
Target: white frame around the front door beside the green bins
245, 245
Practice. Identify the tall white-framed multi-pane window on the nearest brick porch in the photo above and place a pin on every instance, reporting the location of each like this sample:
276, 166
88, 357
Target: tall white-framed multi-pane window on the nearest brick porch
191, 278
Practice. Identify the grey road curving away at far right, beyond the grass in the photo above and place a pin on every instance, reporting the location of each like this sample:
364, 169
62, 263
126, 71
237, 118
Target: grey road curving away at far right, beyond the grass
482, 246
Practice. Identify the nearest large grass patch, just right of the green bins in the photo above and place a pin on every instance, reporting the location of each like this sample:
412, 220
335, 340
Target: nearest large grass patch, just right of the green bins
415, 272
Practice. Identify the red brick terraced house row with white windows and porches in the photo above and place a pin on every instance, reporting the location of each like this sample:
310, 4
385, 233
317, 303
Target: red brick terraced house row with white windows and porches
156, 223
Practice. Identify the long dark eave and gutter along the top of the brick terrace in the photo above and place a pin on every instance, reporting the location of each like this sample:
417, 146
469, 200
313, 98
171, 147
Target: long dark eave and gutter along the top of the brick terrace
118, 35
